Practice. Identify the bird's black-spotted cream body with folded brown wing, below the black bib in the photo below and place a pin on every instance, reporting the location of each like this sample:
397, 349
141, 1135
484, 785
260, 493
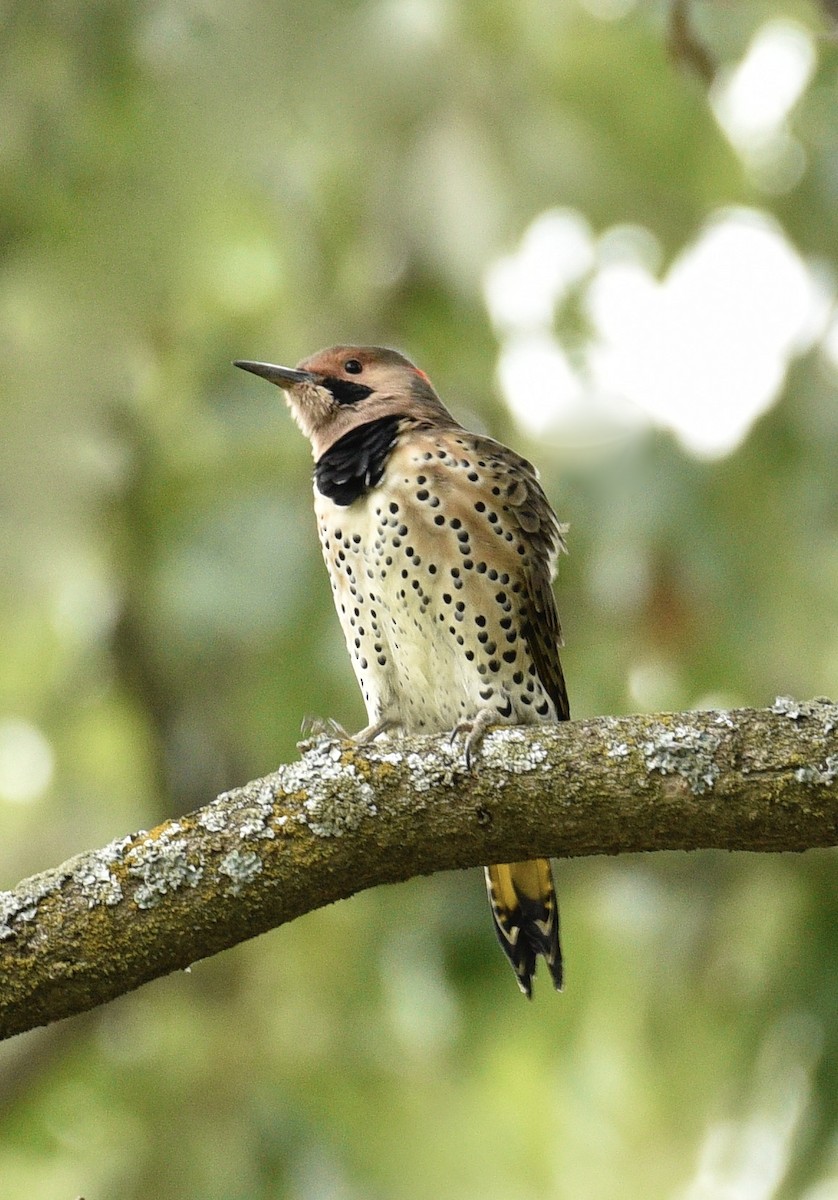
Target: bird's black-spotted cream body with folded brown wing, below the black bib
441, 577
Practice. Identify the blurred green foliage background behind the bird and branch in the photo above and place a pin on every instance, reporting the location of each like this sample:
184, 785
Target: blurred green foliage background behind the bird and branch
184, 183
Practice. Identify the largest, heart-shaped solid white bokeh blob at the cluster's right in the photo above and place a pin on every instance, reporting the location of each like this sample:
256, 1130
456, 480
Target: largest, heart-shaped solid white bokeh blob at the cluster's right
707, 351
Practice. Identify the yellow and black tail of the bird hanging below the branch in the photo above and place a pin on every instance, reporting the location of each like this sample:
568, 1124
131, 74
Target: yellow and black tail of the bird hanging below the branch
526, 919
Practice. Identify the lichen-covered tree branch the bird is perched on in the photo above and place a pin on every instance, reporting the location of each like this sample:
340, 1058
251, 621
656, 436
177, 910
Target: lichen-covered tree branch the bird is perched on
348, 818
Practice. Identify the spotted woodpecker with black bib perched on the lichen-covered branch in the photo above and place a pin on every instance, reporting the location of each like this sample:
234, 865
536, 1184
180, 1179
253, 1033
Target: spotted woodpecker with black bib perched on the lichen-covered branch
441, 548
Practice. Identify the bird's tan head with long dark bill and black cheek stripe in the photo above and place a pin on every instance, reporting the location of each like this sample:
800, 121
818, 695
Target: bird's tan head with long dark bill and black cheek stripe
339, 389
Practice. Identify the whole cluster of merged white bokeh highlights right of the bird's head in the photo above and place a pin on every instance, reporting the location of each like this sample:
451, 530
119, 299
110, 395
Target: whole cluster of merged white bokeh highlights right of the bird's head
703, 351
